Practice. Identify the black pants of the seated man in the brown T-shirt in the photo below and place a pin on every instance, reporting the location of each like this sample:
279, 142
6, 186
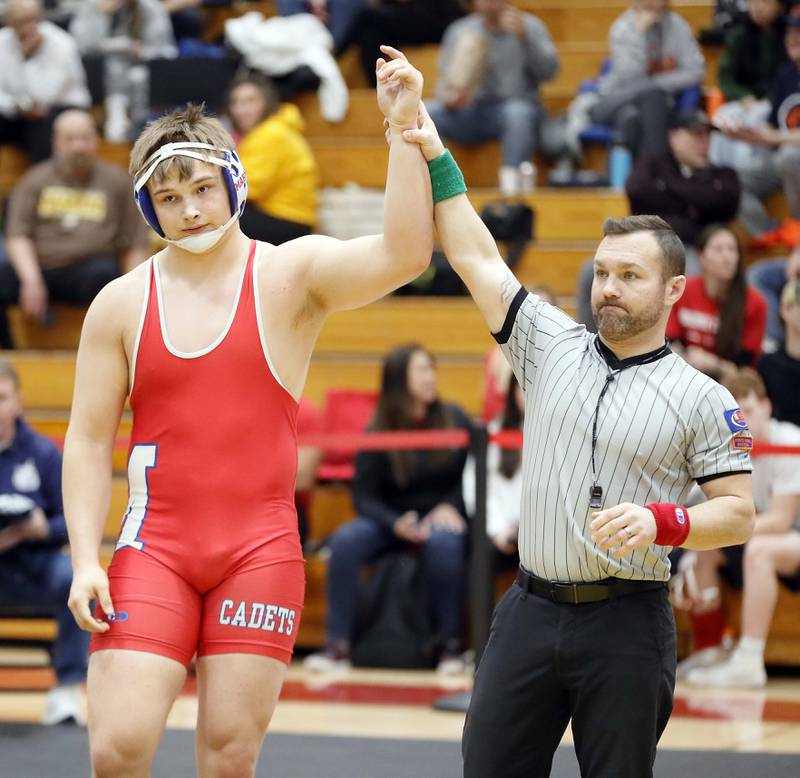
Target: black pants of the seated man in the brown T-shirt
77, 284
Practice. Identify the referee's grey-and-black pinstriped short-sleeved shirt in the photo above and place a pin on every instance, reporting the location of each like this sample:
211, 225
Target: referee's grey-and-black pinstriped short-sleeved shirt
662, 426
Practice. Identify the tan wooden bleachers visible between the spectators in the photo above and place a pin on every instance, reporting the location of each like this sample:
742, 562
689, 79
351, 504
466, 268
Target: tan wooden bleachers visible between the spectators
350, 346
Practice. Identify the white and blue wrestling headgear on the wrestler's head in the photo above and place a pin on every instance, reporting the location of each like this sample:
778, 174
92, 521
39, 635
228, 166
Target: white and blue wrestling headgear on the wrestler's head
232, 173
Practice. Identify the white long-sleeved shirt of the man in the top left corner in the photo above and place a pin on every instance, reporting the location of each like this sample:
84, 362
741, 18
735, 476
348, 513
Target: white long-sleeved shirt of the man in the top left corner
54, 75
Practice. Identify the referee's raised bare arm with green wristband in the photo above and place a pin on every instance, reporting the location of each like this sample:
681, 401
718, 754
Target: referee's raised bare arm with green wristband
469, 246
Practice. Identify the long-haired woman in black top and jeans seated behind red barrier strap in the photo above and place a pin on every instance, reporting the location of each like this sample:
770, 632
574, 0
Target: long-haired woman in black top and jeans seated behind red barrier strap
404, 500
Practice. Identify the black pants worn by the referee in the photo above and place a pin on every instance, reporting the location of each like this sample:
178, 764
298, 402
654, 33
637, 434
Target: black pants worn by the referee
610, 666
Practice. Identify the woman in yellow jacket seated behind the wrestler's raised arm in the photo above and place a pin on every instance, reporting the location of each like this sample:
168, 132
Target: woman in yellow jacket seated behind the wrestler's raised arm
282, 174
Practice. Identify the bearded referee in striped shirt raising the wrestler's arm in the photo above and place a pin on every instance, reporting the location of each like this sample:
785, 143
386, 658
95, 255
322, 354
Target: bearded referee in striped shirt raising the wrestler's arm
617, 430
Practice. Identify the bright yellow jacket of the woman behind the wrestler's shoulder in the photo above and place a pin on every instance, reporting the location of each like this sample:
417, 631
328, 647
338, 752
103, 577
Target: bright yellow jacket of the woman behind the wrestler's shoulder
282, 175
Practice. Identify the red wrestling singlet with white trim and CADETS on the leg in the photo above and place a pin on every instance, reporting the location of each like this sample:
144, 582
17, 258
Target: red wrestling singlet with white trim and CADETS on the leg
208, 557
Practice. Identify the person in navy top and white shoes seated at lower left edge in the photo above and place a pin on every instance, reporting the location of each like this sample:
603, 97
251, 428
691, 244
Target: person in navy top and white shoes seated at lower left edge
34, 570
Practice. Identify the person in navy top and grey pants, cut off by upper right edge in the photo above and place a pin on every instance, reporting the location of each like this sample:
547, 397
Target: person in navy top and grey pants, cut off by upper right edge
778, 167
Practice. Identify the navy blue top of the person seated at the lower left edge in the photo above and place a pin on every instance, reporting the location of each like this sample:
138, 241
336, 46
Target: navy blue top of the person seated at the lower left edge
31, 466
